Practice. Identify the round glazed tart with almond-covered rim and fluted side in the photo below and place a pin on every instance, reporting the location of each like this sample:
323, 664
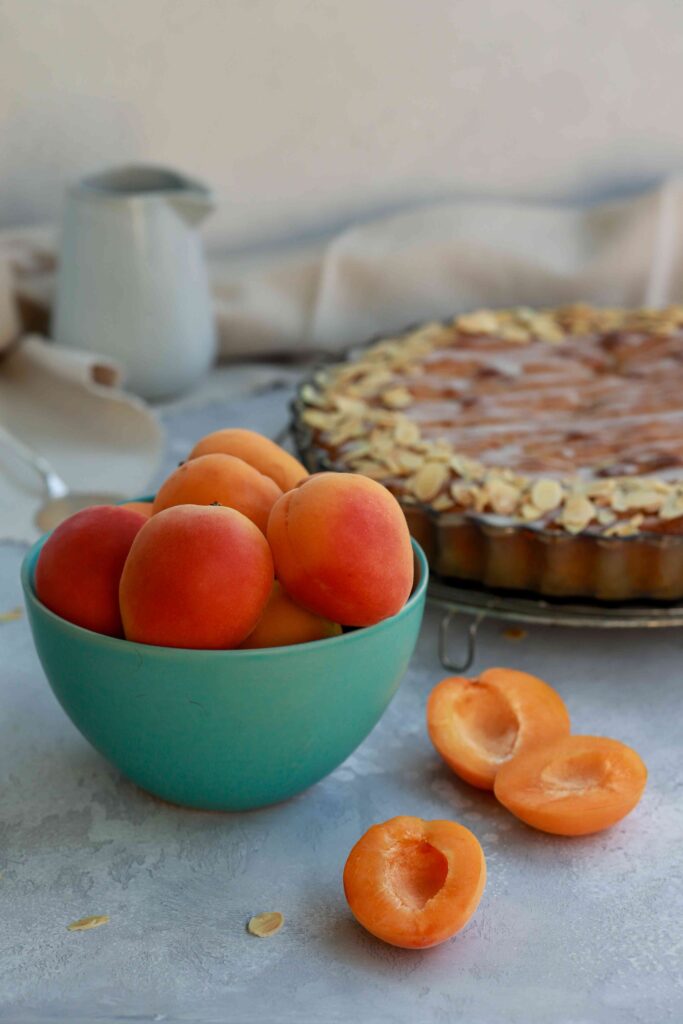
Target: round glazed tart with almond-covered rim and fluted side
533, 450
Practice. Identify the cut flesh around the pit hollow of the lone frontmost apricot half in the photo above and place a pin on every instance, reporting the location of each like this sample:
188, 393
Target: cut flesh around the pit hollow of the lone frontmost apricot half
376, 905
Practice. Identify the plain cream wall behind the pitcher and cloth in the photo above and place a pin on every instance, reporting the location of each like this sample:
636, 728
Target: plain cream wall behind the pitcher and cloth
308, 113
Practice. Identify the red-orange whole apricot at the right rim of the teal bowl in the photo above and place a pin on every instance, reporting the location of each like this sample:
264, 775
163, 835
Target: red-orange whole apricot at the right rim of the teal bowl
343, 548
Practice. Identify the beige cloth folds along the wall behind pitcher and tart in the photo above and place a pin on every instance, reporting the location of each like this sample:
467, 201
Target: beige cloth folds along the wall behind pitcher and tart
431, 263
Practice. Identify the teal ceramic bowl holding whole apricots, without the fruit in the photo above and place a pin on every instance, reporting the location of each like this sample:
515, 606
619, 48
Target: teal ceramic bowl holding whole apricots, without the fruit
226, 731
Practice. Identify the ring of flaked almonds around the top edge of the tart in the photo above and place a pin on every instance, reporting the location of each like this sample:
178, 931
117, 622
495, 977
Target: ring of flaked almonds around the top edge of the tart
360, 408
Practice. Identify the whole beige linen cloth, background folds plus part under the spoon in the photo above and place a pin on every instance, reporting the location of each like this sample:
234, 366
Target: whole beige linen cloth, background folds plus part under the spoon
385, 275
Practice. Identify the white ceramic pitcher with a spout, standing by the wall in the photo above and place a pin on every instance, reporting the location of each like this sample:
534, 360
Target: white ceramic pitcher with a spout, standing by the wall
133, 281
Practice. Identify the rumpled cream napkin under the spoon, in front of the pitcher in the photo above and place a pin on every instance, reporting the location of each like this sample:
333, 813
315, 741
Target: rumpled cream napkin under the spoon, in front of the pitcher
68, 407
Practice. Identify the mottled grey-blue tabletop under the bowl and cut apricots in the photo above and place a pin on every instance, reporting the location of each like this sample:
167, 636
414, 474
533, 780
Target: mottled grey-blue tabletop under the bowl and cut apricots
586, 931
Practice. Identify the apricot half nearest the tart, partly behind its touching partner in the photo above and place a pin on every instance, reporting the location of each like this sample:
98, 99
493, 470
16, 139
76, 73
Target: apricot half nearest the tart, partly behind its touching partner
523, 703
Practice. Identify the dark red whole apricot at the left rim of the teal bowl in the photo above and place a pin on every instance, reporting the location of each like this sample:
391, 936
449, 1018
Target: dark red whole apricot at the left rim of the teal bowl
80, 566
